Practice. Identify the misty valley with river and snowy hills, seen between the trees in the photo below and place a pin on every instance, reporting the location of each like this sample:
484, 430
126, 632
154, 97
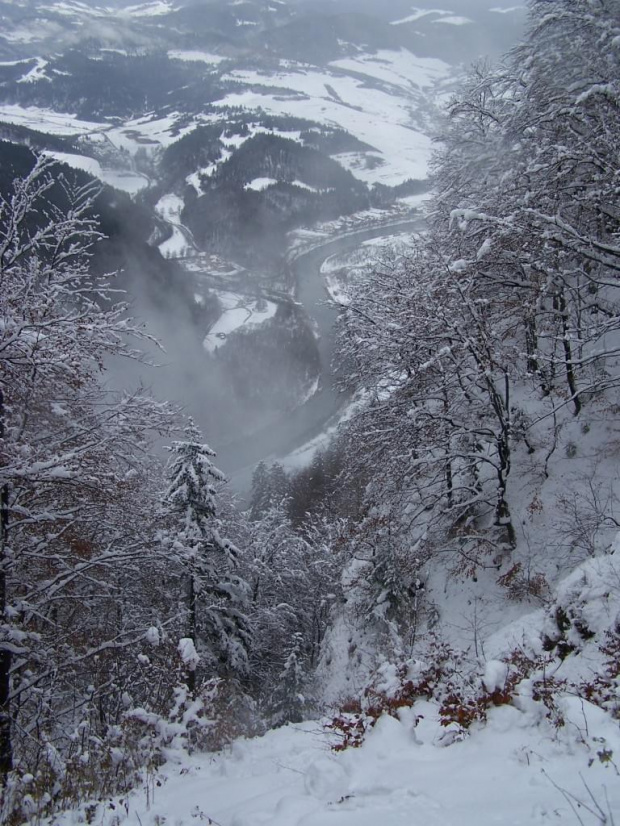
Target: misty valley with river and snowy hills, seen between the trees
242, 132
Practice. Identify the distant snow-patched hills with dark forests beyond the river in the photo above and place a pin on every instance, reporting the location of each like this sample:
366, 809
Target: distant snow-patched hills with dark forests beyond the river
116, 85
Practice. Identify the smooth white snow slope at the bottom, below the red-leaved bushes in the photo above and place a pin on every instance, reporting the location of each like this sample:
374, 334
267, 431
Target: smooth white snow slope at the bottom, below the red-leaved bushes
510, 772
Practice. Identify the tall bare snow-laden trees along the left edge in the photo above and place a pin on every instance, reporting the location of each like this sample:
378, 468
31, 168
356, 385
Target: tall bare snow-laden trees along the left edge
76, 583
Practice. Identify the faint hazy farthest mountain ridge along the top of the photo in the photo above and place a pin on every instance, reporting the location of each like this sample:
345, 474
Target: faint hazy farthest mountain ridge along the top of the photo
254, 26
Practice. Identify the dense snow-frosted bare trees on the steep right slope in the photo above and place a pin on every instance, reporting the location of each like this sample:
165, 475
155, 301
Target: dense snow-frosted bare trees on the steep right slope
511, 299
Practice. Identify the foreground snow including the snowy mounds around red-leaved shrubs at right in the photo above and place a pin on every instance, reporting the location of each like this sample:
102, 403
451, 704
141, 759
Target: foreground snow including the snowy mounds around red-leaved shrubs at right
522, 766
